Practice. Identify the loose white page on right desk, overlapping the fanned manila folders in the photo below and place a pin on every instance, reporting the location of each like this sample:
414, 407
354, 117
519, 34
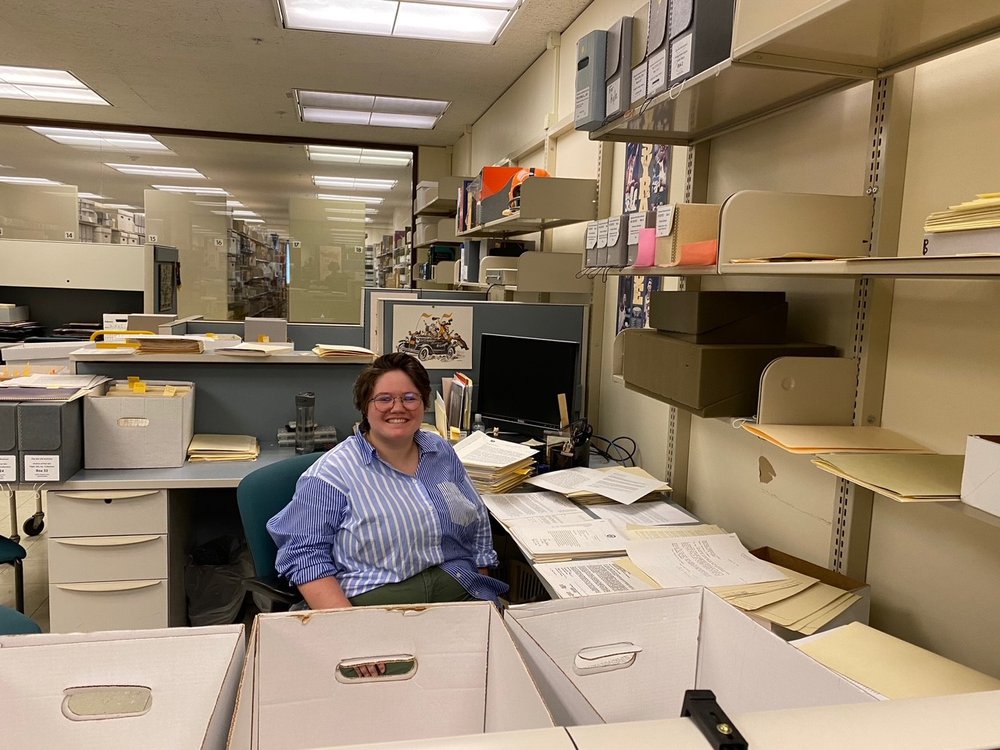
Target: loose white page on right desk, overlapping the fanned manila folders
717, 560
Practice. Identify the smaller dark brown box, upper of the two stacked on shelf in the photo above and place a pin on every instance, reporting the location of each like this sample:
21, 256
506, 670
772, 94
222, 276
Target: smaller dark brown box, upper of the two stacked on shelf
720, 317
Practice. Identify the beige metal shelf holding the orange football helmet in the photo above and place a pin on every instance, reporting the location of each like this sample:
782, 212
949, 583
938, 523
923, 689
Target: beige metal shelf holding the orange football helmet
546, 202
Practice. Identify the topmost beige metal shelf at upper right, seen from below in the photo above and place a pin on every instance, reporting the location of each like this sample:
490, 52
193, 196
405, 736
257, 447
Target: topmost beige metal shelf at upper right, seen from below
787, 53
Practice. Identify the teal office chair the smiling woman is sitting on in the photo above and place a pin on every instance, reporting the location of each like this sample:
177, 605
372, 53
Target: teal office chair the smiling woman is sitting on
260, 495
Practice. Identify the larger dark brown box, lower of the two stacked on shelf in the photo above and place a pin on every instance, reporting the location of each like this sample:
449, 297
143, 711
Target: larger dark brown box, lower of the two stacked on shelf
709, 380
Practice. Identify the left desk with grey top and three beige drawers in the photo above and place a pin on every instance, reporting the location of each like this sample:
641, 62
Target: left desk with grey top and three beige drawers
119, 540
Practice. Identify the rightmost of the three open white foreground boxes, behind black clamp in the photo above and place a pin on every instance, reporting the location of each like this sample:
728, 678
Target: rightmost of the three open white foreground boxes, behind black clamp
627, 657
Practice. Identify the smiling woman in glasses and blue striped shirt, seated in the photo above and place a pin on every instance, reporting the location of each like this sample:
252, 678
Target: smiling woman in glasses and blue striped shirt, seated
389, 516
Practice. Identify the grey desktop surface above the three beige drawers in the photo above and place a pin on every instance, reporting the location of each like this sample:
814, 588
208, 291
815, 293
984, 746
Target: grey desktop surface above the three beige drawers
189, 476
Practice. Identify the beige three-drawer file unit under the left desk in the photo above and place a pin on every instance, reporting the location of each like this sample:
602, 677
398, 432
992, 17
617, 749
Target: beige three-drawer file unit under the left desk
110, 560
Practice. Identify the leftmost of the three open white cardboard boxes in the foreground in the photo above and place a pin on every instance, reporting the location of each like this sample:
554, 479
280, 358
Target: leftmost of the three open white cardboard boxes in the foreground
169, 689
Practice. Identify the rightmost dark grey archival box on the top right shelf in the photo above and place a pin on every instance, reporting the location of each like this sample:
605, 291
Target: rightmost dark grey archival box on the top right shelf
701, 35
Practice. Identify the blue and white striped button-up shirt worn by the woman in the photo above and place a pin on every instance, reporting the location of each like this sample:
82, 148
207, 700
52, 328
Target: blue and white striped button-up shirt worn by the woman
357, 519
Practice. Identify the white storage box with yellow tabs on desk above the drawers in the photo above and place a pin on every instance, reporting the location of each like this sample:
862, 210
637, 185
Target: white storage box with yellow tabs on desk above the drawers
123, 429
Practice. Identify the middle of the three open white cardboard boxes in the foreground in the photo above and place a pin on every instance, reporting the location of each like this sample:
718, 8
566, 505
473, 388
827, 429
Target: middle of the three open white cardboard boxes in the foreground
461, 674
